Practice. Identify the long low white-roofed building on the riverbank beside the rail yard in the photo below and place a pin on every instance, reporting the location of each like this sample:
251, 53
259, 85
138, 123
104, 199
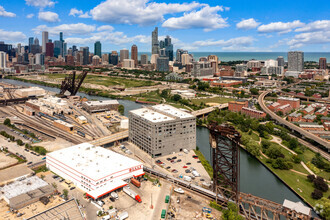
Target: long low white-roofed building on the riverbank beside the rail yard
100, 106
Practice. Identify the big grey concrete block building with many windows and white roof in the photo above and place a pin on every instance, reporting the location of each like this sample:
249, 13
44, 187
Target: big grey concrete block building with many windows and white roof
162, 129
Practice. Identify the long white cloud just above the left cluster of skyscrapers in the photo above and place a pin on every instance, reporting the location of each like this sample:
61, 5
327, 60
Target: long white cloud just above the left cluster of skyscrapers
67, 29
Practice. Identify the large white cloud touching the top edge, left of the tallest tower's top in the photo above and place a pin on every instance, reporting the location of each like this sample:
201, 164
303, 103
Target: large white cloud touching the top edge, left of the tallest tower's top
142, 12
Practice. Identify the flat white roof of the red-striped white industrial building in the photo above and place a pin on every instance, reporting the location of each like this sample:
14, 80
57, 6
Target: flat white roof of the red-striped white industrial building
92, 161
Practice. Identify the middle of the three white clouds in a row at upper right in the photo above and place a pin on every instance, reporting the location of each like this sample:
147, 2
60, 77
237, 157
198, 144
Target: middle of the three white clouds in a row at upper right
280, 27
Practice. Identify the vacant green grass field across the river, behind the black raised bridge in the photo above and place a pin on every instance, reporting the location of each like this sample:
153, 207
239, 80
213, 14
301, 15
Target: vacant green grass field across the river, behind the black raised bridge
109, 81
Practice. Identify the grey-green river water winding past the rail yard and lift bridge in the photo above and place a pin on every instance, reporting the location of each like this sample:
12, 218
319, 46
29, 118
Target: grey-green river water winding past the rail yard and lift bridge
254, 177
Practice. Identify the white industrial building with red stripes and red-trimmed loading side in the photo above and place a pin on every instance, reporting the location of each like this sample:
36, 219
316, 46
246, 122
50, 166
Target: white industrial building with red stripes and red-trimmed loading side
95, 170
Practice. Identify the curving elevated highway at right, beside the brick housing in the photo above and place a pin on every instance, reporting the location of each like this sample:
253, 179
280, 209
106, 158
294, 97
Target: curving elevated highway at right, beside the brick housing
293, 126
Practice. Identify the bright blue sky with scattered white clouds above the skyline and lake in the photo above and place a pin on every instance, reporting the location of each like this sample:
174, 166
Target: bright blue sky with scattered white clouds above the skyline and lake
228, 25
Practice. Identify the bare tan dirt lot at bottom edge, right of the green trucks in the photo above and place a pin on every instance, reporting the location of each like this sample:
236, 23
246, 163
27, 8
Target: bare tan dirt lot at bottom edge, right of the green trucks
190, 207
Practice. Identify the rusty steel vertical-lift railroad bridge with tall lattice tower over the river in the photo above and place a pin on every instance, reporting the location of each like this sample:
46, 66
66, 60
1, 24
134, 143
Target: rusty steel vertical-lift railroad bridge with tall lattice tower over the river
225, 142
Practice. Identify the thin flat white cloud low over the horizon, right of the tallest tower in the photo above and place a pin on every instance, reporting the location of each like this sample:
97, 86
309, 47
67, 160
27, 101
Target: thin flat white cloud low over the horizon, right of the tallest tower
238, 41
